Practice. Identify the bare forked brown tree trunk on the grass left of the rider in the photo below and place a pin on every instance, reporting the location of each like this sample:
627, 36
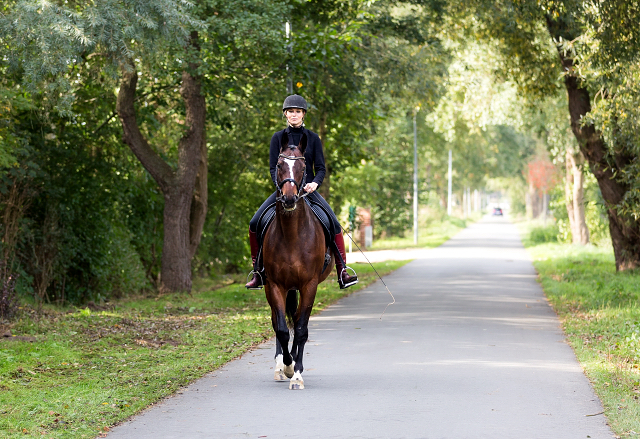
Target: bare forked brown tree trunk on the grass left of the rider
183, 218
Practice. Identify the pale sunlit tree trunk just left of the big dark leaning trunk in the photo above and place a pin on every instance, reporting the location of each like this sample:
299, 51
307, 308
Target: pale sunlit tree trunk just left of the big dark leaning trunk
574, 197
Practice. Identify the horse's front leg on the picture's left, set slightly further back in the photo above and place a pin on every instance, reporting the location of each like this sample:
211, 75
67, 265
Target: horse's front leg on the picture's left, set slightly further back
284, 360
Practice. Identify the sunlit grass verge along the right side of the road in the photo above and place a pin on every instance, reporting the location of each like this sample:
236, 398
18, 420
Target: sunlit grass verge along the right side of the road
600, 313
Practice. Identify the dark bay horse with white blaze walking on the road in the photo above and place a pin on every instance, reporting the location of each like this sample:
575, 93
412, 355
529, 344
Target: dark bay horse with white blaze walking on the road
294, 252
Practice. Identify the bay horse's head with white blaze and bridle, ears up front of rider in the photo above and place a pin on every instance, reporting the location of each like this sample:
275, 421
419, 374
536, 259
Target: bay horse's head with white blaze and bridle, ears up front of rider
290, 174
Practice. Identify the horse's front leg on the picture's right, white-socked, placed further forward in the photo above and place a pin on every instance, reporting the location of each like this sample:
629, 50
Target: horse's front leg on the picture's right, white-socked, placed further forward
301, 332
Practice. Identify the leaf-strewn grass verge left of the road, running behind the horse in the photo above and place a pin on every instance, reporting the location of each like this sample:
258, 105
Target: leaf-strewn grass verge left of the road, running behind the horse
87, 370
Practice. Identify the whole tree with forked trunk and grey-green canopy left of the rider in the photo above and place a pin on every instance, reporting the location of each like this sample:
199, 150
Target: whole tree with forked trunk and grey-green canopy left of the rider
169, 43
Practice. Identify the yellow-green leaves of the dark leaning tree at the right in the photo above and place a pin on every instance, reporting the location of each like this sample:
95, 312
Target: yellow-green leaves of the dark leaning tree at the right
599, 51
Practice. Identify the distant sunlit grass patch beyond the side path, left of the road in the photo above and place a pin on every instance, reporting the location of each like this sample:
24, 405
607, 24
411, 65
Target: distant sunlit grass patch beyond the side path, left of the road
431, 235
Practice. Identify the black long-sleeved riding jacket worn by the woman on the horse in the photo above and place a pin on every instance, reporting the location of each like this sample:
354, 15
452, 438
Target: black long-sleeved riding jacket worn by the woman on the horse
313, 154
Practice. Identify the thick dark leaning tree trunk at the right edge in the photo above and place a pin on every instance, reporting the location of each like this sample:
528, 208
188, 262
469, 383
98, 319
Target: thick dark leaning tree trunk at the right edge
625, 231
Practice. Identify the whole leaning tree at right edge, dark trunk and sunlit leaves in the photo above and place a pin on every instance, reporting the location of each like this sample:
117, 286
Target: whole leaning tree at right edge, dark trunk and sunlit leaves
533, 37
